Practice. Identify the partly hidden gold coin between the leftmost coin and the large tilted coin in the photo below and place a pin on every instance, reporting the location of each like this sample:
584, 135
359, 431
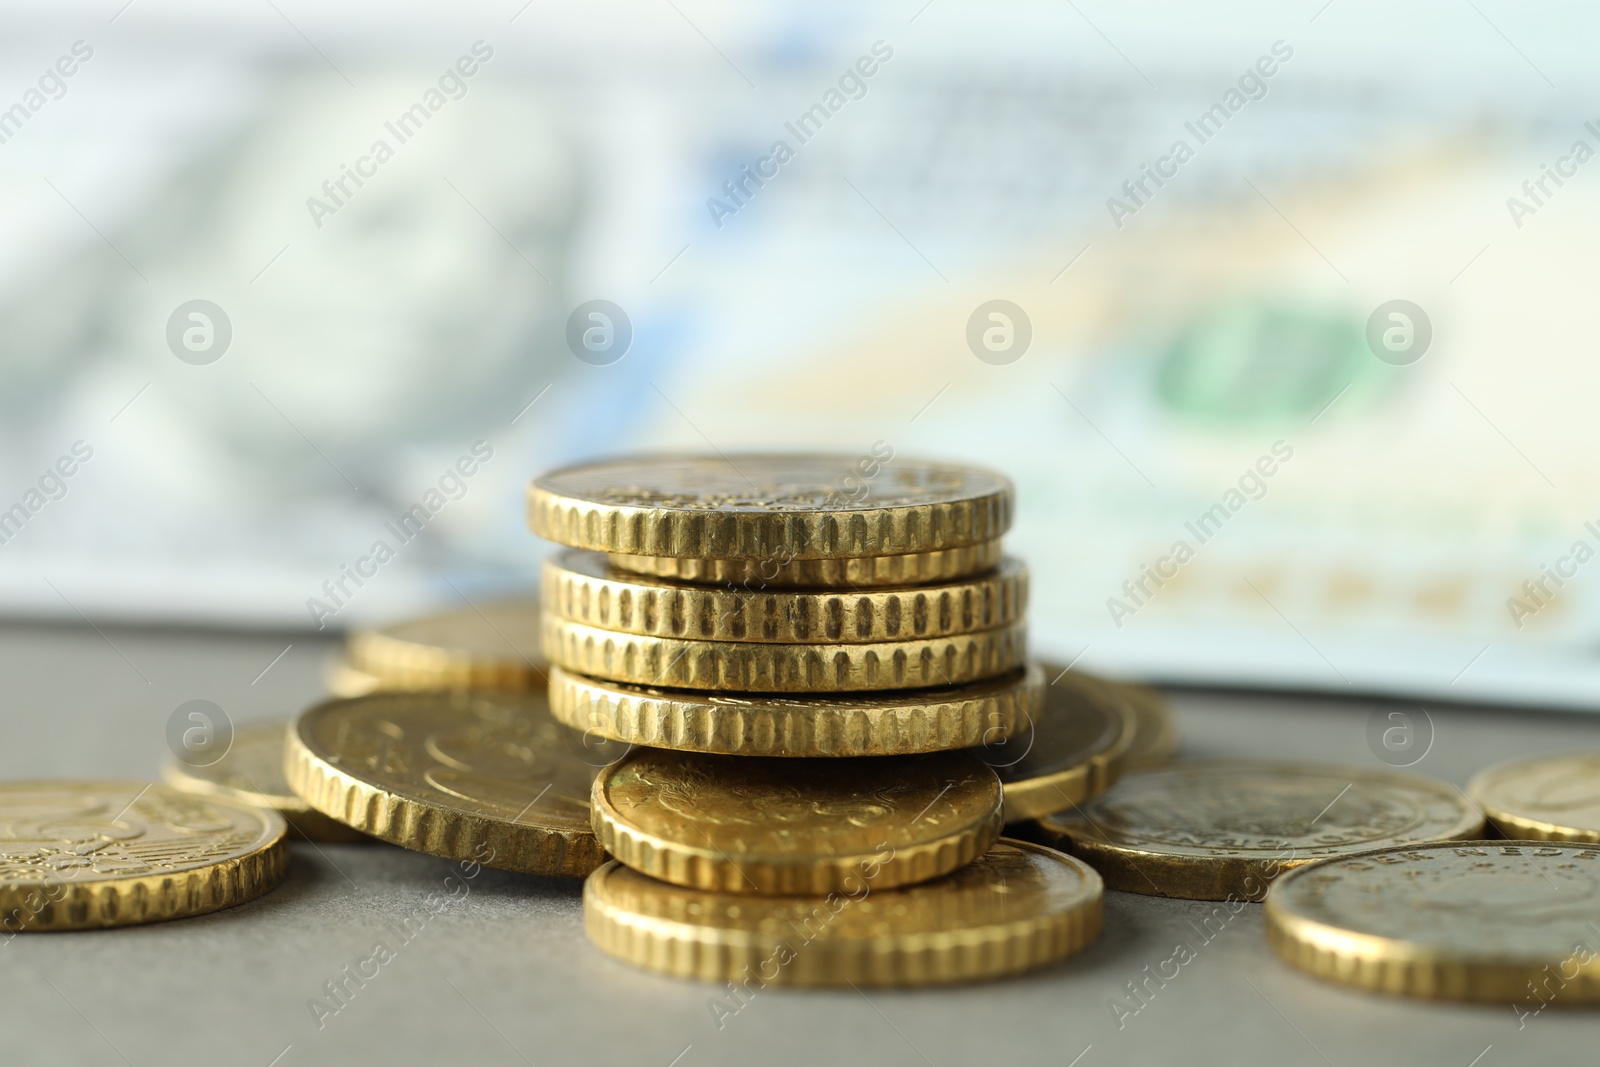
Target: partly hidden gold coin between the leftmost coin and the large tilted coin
252, 773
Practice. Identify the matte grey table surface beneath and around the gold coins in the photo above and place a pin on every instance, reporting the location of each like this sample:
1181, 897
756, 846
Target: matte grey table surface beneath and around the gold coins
505, 977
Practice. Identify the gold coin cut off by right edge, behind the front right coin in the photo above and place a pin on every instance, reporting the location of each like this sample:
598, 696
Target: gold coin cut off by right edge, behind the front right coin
1546, 799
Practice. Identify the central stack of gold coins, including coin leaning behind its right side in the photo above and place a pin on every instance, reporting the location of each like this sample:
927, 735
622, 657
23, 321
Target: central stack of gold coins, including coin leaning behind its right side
804, 649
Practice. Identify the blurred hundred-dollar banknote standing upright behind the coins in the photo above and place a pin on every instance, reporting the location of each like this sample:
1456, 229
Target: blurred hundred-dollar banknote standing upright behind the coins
278, 274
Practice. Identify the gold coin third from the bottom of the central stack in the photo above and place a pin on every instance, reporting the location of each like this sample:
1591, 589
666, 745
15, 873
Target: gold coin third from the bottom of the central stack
780, 725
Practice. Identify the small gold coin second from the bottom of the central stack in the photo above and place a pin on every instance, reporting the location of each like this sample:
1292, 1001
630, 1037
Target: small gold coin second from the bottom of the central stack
794, 826
